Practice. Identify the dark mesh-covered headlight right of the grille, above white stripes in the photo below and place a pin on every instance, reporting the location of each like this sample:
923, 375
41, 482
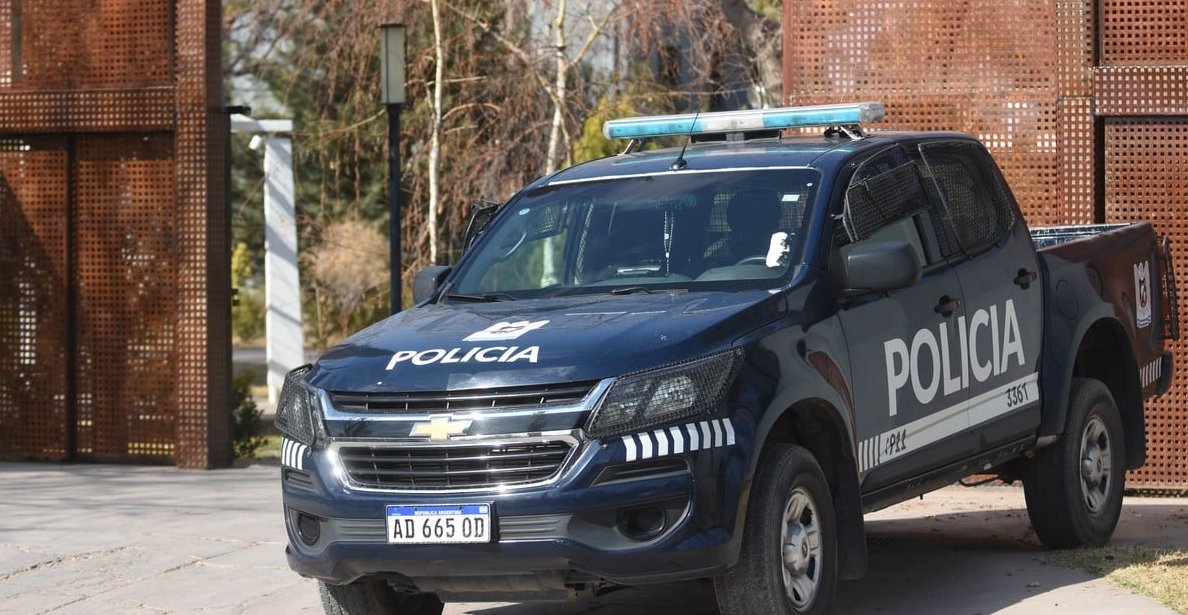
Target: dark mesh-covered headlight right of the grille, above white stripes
665, 395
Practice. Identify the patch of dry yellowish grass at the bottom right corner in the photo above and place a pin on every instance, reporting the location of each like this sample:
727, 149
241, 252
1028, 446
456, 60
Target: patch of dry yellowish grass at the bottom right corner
1161, 574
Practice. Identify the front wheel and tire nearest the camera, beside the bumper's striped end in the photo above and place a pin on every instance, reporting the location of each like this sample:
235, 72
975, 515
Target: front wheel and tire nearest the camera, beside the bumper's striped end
788, 563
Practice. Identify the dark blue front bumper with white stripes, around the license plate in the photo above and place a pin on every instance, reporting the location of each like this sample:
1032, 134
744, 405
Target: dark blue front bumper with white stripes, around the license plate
650, 508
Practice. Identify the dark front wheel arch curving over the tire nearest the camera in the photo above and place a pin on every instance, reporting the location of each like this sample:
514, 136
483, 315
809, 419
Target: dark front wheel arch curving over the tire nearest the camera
819, 427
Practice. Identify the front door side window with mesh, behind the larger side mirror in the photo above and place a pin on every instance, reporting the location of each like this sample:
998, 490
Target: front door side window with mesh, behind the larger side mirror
884, 202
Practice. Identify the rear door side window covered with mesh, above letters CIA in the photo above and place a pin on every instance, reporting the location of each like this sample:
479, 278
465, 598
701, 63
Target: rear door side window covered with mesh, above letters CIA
976, 207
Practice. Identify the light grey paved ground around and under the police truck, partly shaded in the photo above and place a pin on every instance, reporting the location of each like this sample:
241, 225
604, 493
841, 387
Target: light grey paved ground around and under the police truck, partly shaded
122, 540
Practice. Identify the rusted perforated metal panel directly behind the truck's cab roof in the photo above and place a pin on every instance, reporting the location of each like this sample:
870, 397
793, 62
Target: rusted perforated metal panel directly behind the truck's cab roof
988, 69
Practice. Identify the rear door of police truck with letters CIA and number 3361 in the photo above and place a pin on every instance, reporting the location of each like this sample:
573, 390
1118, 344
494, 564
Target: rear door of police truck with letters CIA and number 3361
993, 255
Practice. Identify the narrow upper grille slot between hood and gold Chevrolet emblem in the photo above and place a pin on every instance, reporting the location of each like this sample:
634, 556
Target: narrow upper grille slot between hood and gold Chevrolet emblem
458, 401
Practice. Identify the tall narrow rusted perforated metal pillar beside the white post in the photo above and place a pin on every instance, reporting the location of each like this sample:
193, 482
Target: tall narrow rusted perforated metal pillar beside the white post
204, 269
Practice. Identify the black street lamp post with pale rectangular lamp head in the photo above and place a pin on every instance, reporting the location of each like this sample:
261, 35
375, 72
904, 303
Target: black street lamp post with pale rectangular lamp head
393, 60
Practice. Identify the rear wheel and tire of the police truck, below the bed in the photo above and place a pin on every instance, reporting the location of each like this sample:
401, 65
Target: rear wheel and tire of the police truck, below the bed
1075, 489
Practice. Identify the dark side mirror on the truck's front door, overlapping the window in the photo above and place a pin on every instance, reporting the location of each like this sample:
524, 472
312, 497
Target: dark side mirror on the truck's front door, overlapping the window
877, 268
